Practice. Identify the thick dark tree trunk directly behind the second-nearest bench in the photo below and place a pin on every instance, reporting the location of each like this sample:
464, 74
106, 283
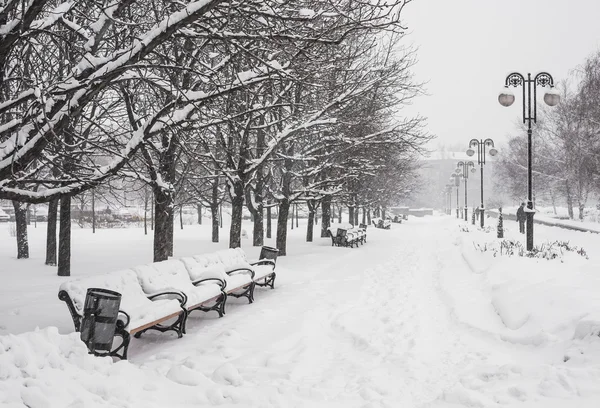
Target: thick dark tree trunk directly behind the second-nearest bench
163, 224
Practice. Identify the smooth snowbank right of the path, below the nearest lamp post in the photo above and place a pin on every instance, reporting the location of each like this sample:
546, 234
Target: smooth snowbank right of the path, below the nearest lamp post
538, 299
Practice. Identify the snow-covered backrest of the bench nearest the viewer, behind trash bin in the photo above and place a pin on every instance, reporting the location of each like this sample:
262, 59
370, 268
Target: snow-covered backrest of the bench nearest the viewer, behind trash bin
125, 282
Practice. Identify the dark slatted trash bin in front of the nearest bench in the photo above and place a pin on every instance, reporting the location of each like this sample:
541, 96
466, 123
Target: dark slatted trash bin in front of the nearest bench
99, 321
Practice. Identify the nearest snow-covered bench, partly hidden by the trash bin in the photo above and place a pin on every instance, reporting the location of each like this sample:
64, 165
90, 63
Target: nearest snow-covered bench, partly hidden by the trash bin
139, 311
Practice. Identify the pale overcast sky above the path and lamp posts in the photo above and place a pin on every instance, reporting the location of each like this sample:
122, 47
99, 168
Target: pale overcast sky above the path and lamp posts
468, 47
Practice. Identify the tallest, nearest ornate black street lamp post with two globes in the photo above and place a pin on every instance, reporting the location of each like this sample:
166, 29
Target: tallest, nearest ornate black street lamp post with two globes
551, 98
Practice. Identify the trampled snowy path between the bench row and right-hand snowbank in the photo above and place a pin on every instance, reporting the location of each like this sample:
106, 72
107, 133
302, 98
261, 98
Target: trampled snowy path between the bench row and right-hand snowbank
370, 326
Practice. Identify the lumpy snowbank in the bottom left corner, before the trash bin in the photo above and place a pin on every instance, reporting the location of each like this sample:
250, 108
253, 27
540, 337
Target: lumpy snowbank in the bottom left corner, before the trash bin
44, 369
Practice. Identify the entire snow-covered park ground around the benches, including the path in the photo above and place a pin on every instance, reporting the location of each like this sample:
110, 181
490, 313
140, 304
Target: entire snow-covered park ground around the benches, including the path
417, 317
